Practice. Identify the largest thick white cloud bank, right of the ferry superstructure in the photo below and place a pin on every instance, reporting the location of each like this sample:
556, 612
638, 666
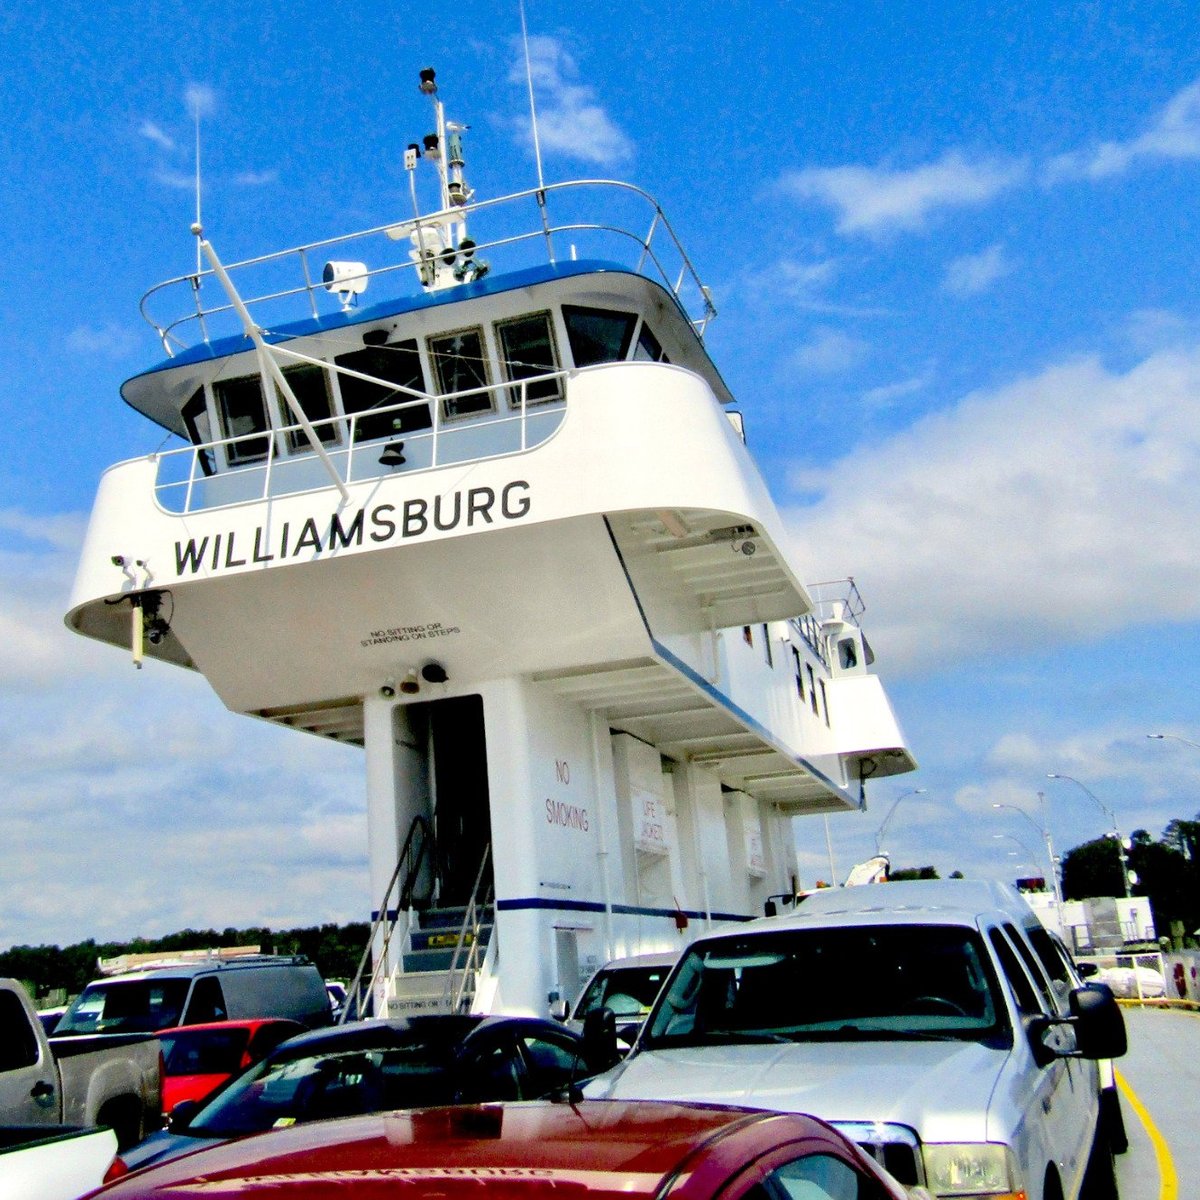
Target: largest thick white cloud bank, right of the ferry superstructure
1059, 508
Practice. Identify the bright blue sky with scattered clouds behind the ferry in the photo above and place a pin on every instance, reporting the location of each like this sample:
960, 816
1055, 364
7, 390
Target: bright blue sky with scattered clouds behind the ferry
955, 260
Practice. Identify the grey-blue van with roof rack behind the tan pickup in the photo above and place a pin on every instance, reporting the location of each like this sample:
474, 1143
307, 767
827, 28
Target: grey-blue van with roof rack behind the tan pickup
195, 993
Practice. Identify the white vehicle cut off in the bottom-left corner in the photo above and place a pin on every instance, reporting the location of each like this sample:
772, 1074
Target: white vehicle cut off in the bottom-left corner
53, 1162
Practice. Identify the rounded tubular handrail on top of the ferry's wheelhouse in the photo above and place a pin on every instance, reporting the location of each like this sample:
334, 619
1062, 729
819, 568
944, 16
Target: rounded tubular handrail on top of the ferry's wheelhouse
700, 309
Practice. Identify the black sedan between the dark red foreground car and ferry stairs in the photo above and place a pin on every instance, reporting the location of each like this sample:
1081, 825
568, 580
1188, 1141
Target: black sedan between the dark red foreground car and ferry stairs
375, 1065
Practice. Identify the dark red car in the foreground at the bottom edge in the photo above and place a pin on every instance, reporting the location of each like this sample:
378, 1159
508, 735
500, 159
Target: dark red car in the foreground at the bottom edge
602, 1150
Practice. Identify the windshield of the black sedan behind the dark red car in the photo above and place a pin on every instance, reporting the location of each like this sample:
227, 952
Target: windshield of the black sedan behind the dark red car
327, 1085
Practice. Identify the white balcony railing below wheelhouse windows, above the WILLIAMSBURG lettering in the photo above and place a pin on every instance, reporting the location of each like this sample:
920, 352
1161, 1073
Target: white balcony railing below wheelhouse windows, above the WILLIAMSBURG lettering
183, 481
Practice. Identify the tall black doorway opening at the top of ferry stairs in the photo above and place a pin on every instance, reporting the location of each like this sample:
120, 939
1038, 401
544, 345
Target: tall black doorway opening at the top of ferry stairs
463, 820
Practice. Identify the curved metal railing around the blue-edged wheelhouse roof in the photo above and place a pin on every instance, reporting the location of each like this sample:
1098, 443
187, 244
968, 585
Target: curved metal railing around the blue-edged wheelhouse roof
281, 286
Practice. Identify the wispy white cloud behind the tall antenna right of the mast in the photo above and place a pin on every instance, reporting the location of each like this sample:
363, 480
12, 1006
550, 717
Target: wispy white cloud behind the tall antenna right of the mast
571, 122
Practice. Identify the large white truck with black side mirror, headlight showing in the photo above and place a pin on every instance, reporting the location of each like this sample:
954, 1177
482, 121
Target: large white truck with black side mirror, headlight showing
929, 1021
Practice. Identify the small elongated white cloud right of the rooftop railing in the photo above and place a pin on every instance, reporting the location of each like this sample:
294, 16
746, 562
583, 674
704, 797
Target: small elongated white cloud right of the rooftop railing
878, 200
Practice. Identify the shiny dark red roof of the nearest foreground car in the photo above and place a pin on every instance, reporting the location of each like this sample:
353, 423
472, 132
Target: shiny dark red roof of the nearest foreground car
613, 1149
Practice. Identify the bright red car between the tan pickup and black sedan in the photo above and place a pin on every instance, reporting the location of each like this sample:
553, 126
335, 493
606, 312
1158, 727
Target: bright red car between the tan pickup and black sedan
199, 1058
